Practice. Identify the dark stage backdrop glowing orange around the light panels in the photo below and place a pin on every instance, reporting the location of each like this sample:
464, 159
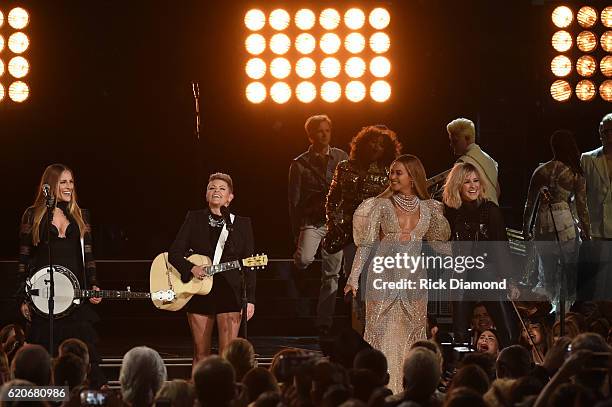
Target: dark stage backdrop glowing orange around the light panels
111, 98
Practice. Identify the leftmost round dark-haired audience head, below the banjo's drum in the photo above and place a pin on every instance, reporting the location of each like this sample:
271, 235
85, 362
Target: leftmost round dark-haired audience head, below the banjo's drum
32, 363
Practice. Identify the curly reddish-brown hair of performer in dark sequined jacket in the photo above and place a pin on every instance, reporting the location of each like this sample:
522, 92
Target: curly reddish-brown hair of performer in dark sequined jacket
360, 147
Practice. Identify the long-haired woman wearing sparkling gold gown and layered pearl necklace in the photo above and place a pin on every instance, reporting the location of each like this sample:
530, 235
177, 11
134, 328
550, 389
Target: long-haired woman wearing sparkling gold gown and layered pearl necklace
391, 226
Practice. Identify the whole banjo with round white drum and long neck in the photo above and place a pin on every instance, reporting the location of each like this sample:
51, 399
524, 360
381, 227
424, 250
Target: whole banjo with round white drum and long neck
68, 293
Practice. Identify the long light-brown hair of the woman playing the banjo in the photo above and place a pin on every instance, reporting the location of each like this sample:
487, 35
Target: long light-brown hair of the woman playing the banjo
51, 176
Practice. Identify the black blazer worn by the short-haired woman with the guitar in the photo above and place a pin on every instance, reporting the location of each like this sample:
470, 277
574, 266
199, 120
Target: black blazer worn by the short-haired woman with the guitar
195, 235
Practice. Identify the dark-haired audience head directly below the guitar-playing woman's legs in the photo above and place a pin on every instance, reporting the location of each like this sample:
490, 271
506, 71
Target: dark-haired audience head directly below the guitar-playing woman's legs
214, 380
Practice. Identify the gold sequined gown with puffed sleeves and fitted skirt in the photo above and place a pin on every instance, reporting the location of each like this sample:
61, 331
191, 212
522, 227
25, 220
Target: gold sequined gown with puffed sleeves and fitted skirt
395, 319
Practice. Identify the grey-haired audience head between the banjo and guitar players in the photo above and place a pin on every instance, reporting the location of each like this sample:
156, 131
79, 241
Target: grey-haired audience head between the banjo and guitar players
141, 376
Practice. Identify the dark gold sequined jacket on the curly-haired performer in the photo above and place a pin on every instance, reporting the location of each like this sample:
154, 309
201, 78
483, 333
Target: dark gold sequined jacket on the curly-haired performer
350, 187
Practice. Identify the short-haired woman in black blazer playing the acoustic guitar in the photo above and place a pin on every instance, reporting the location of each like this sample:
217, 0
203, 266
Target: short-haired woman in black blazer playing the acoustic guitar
205, 232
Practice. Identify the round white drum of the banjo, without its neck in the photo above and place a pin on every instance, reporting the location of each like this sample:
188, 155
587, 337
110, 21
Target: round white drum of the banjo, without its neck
65, 284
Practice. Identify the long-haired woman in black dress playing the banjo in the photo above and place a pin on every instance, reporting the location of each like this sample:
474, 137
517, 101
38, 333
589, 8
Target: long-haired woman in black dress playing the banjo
71, 244
